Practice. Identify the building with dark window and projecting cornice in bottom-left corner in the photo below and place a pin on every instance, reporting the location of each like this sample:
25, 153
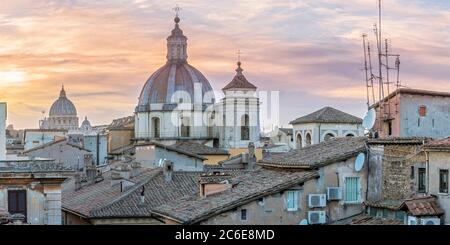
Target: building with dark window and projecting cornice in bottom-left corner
32, 190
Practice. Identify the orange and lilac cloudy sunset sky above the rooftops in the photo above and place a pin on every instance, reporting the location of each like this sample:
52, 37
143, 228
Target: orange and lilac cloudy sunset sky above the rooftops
310, 50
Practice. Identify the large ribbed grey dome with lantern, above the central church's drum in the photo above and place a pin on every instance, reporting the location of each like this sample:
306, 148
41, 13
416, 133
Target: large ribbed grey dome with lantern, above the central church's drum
171, 83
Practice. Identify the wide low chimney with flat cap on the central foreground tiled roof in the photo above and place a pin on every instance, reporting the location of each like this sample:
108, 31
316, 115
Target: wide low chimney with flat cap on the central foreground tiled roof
214, 182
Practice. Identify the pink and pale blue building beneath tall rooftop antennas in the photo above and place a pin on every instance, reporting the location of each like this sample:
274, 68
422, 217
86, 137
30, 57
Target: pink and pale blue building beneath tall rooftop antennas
413, 113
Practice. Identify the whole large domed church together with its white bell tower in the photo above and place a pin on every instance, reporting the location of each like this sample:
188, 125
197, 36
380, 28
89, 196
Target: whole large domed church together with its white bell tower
178, 103
